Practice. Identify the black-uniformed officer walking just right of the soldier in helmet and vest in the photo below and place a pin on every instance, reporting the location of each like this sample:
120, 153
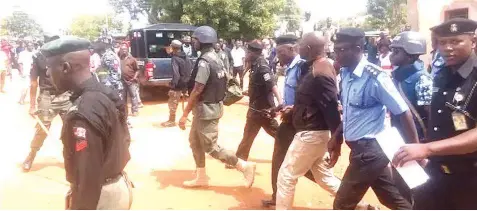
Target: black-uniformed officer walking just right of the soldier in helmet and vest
262, 88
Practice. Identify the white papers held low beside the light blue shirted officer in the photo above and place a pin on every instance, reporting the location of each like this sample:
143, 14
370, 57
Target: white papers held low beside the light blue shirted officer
390, 141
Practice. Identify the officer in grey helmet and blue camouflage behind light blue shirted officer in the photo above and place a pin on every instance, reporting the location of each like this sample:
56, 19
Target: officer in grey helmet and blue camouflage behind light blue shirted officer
414, 85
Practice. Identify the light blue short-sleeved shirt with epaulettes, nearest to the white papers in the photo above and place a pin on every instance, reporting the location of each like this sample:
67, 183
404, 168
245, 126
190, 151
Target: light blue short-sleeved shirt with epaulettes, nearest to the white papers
366, 92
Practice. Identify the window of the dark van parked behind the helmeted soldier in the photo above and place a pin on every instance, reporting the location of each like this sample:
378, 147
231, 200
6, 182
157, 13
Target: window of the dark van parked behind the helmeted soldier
158, 42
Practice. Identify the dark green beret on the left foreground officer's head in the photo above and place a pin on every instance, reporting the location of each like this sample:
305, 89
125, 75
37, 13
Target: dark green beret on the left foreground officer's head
64, 45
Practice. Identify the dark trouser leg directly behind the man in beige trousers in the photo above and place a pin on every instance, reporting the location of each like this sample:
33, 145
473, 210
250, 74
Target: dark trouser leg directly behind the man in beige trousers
283, 140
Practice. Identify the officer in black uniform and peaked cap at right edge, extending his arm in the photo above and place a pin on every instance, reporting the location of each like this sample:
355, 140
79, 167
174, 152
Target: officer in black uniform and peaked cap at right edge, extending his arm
451, 144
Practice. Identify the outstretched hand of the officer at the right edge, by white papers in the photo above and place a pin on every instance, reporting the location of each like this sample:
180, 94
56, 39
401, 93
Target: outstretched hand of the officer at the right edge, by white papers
410, 152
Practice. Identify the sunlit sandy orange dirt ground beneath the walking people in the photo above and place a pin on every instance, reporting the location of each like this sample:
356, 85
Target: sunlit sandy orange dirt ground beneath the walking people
161, 161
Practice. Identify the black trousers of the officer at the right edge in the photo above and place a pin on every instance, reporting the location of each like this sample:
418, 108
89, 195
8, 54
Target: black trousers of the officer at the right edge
456, 191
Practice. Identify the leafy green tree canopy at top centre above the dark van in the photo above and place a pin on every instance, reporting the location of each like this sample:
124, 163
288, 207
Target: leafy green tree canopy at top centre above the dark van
232, 18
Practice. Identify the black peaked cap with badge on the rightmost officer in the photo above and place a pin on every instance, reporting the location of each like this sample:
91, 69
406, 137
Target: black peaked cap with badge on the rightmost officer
456, 26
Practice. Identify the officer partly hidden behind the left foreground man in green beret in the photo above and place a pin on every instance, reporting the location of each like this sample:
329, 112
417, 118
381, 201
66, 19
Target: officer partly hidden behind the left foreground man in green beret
50, 103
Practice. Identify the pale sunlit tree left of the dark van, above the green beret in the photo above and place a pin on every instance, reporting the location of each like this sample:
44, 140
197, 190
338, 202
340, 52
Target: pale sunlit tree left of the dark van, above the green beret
90, 26
